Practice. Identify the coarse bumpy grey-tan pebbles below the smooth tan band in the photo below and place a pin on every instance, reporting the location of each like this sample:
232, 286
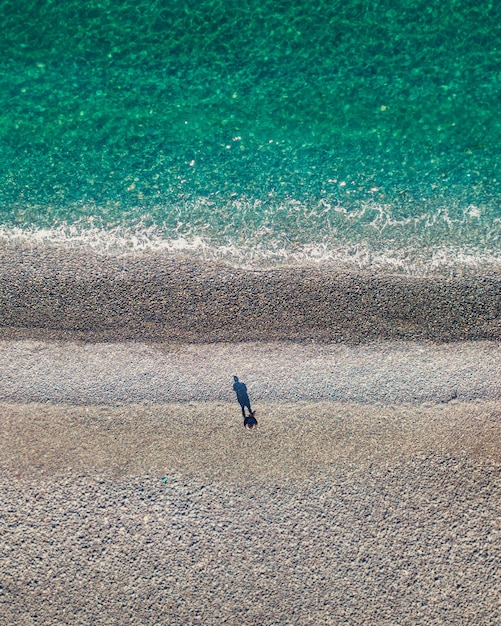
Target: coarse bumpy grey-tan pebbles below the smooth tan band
413, 543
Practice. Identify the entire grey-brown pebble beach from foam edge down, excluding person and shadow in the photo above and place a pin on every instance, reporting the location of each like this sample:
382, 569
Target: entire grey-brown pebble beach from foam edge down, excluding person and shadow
131, 493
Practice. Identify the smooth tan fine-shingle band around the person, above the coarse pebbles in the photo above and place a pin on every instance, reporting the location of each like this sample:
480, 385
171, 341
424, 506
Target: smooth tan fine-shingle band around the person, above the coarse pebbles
207, 440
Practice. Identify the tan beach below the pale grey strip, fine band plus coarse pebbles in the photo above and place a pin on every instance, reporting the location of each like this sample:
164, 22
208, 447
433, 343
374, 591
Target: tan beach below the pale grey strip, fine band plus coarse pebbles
328, 513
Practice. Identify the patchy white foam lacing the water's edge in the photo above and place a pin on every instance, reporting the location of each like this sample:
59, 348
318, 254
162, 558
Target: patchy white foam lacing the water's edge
385, 244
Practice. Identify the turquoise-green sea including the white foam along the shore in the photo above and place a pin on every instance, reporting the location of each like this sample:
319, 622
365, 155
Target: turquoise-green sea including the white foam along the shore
356, 131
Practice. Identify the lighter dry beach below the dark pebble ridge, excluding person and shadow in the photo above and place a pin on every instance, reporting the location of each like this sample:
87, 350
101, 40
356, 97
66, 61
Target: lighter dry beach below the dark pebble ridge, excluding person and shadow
130, 498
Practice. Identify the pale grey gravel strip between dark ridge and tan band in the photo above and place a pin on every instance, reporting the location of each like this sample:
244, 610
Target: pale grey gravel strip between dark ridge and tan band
390, 372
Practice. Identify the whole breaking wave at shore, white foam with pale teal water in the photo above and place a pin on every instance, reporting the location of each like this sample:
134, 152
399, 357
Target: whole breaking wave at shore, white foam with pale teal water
247, 233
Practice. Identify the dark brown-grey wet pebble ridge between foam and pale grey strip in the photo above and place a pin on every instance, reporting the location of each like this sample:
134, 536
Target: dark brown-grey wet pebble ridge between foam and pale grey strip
72, 294
